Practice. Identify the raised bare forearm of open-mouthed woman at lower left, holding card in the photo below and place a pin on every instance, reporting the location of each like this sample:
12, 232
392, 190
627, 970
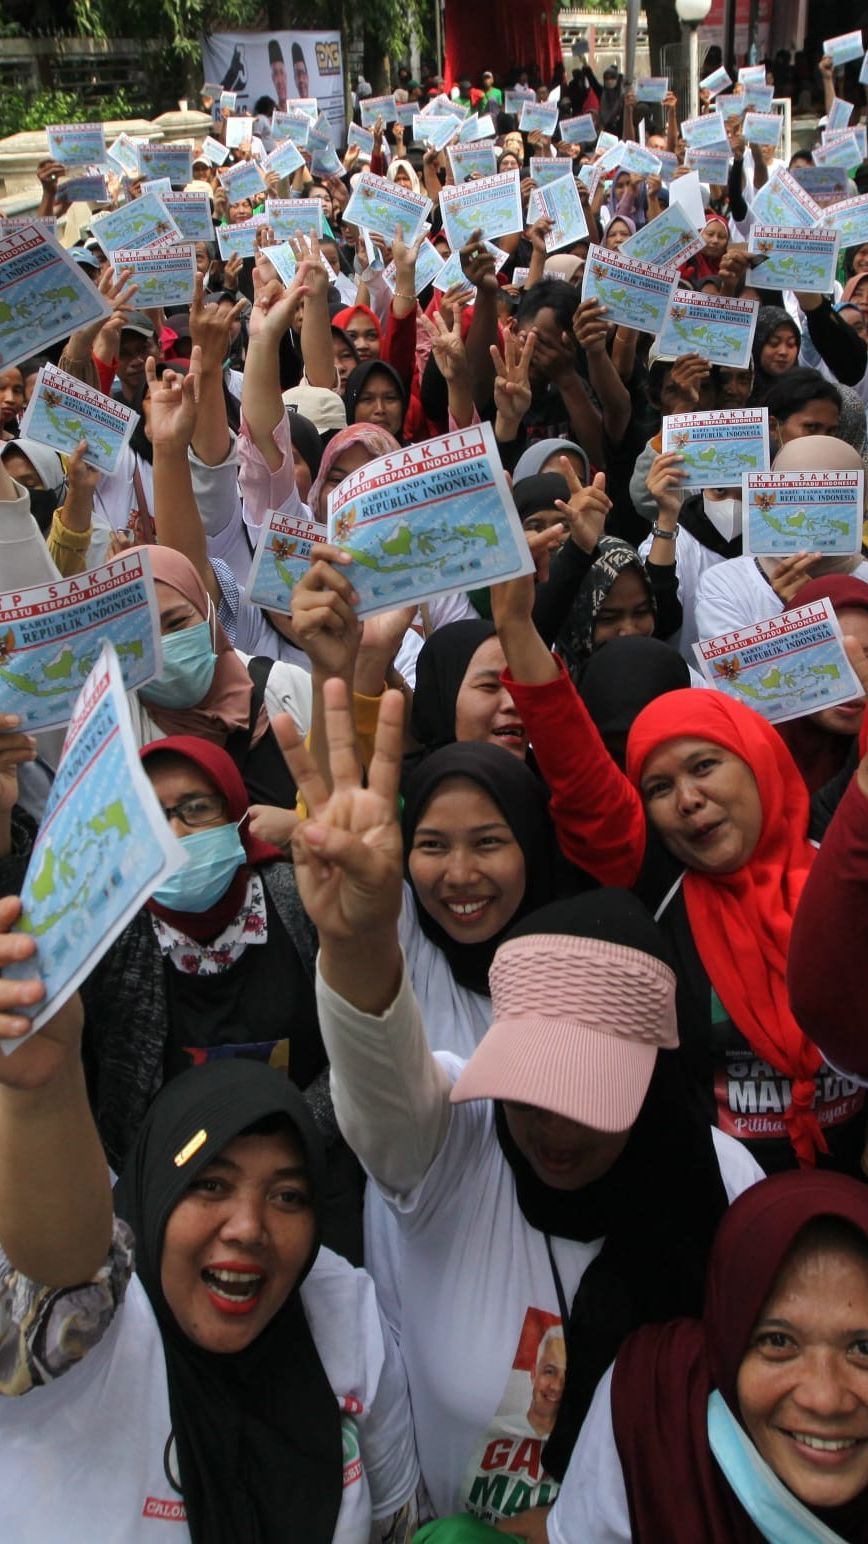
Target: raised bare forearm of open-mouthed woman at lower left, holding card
55, 1185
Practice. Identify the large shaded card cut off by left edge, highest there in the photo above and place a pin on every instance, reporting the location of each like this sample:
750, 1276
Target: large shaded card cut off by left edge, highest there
44, 296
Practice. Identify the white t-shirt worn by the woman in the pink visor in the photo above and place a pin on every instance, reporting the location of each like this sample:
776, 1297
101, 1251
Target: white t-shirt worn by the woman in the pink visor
476, 1301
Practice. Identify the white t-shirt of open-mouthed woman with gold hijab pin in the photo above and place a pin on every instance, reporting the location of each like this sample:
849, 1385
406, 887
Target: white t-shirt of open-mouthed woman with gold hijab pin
90, 1457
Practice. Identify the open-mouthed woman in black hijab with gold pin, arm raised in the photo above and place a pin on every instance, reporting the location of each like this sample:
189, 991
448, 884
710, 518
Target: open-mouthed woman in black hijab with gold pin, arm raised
240, 1381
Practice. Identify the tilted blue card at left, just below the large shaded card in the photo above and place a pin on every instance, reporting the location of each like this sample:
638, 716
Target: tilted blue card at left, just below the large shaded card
64, 411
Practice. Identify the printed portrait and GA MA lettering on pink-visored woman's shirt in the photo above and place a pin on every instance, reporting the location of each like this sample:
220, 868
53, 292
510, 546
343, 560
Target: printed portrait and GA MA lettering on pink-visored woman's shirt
507, 1475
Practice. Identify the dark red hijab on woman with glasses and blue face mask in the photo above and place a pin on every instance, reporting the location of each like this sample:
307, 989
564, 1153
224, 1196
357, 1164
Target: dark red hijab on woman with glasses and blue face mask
222, 771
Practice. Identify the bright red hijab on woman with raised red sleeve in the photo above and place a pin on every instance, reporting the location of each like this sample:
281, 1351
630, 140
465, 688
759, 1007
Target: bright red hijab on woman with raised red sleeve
742, 921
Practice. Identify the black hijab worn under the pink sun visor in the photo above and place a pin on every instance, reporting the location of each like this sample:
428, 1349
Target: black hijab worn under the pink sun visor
657, 1208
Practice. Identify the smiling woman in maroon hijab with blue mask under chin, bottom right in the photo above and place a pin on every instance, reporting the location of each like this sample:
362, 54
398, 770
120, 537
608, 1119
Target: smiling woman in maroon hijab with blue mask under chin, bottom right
751, 1424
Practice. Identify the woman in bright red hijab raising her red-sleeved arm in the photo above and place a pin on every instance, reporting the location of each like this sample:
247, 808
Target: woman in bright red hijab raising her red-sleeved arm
711, 828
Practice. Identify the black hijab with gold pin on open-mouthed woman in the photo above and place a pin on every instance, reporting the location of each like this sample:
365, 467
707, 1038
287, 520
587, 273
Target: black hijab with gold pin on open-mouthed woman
259, 1432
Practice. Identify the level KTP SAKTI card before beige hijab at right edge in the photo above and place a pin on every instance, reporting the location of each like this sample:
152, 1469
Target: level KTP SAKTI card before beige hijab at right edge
787, 513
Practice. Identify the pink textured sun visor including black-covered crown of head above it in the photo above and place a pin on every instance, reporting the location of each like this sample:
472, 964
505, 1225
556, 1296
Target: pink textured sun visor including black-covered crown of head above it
583, 1000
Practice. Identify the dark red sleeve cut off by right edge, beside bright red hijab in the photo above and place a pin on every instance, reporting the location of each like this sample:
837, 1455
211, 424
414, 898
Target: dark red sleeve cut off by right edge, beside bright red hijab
830, 941
